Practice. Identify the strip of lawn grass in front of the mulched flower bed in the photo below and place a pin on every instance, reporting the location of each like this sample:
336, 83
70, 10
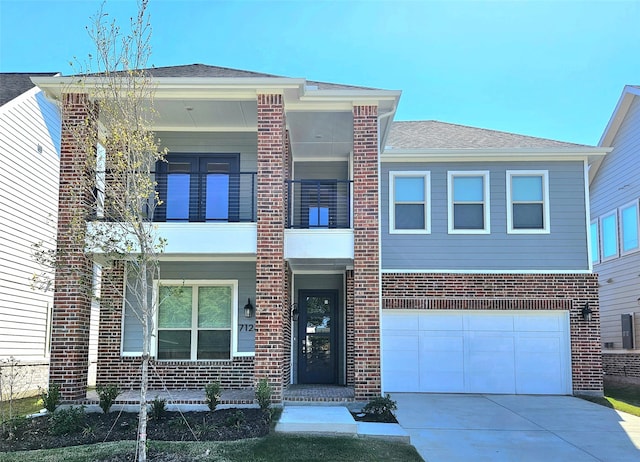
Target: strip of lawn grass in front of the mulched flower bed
273, 448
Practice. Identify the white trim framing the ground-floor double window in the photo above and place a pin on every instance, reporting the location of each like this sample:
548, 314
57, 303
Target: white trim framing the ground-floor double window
194, 332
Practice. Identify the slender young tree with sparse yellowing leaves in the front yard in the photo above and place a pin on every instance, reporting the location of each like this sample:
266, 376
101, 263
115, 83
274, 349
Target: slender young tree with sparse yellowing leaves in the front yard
121, 182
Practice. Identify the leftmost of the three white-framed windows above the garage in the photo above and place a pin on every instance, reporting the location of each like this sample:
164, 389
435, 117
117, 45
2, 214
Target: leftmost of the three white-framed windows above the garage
409, 202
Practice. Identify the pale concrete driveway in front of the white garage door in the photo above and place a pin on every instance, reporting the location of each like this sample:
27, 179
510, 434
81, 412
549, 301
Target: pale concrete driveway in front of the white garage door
451, 428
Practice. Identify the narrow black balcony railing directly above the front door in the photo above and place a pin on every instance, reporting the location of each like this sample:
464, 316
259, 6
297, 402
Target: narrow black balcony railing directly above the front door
319, 204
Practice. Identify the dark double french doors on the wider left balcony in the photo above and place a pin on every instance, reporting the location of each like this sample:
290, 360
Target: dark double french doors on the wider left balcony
199, 188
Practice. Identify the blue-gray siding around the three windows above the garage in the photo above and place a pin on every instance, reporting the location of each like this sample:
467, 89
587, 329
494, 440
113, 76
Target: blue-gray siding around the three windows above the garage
564, 249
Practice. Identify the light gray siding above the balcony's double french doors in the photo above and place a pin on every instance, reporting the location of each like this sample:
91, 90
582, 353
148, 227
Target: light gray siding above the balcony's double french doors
214, 143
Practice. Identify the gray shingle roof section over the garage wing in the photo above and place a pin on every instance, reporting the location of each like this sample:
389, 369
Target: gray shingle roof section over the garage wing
431, 134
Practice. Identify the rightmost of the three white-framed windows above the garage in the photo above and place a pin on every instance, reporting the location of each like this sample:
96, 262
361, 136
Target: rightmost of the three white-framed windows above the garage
527, 201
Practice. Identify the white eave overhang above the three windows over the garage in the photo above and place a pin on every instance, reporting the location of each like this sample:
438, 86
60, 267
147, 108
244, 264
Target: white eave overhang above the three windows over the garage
502, 154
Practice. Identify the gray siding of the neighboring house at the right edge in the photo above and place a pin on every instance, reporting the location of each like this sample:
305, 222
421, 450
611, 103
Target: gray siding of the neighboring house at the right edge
617, 184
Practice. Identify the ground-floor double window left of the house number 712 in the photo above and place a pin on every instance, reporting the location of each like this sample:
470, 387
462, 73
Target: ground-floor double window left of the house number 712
195, 321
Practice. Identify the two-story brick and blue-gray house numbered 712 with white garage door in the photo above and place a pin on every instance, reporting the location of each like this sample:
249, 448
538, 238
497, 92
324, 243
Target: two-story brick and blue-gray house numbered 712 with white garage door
375, 255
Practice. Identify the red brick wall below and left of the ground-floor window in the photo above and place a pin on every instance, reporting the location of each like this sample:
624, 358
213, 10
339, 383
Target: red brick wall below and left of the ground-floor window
125, 371
